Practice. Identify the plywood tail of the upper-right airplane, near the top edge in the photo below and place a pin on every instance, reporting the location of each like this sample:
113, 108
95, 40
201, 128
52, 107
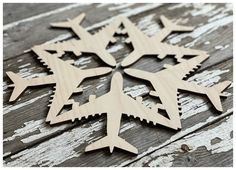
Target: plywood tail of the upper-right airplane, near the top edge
174, 27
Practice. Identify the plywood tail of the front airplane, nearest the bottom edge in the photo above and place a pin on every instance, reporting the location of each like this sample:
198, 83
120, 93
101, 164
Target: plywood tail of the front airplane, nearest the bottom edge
112, 142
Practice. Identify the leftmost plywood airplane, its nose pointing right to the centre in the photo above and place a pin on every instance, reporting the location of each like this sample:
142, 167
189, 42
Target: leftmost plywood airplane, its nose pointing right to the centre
66, 77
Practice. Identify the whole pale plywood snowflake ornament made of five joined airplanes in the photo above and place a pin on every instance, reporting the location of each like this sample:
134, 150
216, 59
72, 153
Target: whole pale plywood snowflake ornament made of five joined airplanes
166, 83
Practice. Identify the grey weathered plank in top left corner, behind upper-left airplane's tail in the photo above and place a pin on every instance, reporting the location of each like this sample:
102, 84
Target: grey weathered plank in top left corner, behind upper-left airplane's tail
37, 31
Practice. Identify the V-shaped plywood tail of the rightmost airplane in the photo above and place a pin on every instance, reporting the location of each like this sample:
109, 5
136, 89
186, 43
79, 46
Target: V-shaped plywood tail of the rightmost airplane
214, 93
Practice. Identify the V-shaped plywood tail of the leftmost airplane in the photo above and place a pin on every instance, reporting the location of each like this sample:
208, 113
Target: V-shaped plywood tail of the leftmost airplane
19, 85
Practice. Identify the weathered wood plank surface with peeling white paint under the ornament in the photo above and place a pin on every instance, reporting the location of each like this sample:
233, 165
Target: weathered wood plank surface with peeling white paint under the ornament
26, 136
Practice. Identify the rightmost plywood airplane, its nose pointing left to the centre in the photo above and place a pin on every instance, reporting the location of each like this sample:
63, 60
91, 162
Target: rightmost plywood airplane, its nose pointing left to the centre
167, 82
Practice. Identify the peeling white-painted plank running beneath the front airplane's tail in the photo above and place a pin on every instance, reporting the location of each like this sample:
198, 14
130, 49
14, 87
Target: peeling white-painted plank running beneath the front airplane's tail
196, 113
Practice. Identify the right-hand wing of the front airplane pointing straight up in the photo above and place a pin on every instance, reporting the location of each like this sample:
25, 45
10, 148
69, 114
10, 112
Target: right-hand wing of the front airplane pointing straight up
137, 109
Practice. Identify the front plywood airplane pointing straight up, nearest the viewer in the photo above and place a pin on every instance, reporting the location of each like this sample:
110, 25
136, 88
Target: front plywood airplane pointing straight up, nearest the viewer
114, 104
